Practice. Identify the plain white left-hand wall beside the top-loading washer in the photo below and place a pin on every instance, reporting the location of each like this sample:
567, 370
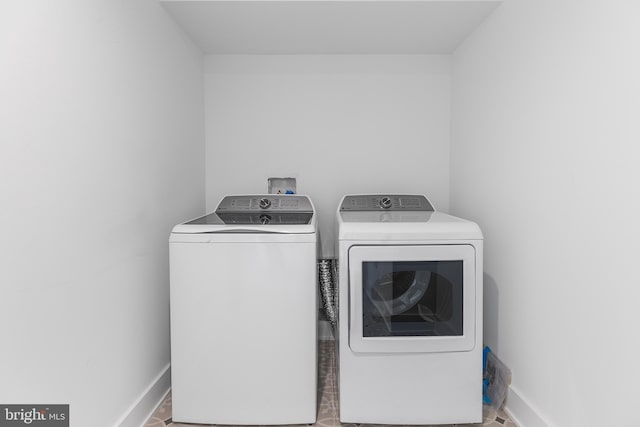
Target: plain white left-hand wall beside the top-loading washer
101, 152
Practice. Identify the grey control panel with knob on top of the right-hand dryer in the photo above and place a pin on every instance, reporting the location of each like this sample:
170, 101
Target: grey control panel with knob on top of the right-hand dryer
392, 202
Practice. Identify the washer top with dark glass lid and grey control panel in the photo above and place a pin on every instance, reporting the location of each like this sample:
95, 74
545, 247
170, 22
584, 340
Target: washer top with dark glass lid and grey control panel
284, 214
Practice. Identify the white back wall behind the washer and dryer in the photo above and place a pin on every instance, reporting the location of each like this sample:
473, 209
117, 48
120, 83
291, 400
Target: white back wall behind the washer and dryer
339, 124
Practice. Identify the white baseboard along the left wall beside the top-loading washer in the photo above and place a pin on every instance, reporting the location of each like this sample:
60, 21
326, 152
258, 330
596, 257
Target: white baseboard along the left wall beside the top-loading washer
140, 411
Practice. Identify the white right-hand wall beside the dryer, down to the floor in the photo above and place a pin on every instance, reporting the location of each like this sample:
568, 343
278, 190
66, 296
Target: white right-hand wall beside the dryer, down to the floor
546, 100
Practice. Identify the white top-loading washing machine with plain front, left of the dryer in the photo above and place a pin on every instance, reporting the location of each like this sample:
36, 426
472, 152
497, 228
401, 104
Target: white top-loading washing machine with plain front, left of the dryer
243, 284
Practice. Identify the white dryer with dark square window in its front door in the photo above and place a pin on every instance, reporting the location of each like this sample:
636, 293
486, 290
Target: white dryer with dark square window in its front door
410, 312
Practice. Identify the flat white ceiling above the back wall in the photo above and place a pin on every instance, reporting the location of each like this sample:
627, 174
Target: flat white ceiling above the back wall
329, 26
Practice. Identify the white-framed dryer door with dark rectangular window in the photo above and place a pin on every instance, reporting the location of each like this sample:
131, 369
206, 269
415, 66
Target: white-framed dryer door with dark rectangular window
412, 298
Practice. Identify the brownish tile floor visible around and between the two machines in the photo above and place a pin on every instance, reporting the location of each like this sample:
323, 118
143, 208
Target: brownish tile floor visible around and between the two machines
328, 415
